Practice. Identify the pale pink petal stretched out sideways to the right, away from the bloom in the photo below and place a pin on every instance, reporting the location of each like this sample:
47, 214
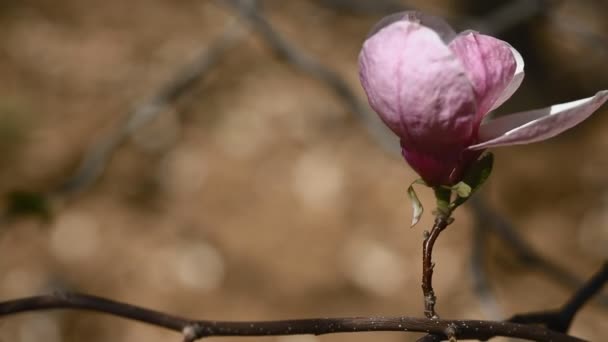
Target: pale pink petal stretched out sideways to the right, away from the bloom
537, 125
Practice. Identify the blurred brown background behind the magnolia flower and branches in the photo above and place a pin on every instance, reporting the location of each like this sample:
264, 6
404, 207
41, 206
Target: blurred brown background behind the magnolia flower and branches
217, 159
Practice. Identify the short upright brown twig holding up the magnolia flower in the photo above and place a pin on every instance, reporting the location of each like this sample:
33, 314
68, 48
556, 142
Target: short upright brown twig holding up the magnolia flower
441, 222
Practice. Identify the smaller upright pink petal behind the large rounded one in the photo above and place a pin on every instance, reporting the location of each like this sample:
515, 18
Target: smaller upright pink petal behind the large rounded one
490, 65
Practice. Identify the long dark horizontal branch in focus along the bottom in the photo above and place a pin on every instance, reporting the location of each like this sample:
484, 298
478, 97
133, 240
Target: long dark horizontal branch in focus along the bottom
195, 329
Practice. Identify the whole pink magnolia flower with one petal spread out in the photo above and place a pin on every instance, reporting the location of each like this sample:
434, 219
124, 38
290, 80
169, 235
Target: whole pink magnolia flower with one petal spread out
433, 89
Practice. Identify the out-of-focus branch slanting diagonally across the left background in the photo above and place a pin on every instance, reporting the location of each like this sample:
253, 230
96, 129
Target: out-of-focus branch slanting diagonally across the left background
100, 152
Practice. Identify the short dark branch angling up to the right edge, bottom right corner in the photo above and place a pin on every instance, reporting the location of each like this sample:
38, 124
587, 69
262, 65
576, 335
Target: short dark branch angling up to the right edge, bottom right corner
561, 320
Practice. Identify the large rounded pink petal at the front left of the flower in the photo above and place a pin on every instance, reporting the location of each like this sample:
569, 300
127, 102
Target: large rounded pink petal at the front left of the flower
418, 86
